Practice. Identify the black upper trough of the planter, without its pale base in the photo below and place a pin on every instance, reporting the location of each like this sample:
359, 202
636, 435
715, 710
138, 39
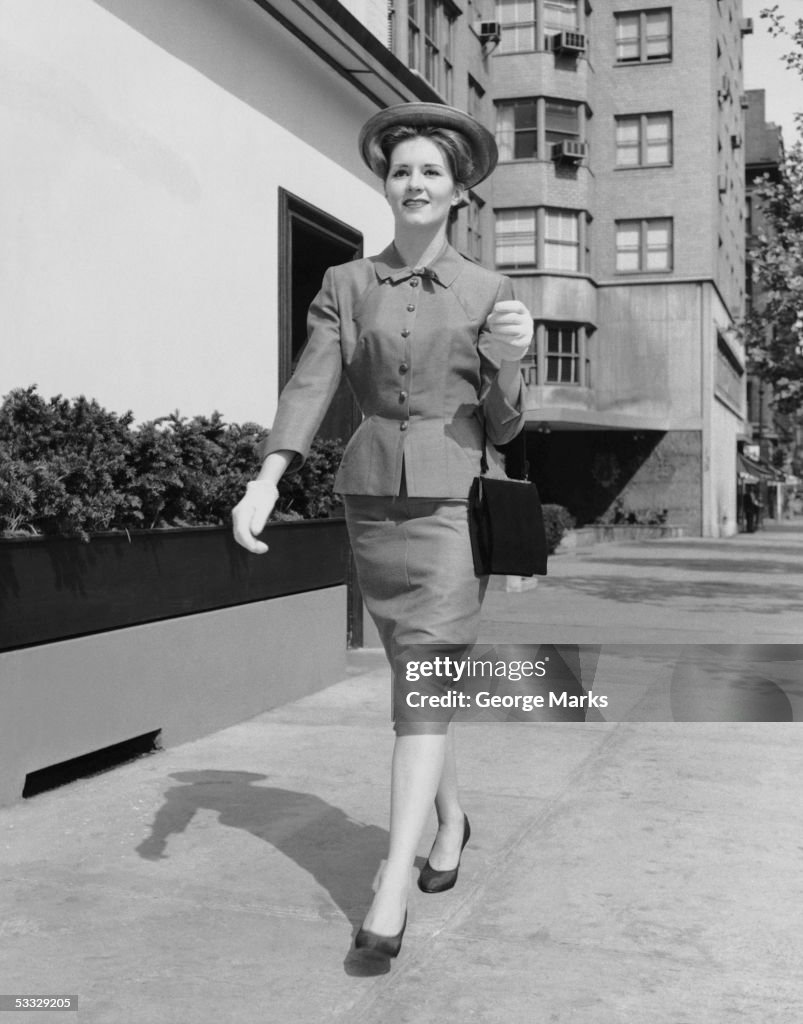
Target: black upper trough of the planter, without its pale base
55, 588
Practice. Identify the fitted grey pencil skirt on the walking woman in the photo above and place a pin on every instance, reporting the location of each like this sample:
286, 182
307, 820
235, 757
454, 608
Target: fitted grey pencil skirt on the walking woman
415, 569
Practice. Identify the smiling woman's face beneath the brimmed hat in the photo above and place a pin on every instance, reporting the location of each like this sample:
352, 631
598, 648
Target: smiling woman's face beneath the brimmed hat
419, 186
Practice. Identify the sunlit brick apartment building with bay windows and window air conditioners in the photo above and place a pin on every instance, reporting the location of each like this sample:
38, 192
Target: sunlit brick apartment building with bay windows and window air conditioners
620, 212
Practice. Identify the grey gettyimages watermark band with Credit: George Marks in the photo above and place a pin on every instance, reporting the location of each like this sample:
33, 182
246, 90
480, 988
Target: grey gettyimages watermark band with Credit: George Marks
437, 684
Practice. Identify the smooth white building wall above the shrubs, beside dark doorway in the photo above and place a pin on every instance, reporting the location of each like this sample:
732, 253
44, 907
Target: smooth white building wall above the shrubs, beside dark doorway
139, 198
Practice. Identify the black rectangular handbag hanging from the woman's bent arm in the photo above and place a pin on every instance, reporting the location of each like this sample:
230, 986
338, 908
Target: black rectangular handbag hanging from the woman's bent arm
506, 525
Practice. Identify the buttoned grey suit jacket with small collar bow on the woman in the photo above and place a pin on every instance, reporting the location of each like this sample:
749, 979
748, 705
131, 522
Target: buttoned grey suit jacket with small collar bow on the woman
408, 340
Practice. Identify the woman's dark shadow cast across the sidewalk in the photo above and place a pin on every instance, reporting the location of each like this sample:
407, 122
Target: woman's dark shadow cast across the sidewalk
340, 852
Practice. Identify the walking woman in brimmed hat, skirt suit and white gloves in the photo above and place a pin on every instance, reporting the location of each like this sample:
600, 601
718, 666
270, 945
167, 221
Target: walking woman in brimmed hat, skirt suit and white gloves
432, 346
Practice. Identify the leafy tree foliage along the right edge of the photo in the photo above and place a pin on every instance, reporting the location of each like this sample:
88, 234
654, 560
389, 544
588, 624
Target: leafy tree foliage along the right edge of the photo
774, 329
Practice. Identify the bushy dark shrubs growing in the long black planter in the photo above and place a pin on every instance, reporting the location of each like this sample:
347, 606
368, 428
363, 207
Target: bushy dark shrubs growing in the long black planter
72, 468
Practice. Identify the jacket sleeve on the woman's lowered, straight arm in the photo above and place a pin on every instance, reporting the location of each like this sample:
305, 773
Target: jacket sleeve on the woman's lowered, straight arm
307, 397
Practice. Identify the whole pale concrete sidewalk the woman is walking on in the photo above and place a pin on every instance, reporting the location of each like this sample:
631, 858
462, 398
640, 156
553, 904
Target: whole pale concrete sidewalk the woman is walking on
618, 872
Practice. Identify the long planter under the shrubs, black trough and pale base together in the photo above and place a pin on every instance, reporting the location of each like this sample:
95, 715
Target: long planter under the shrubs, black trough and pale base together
179, 633
